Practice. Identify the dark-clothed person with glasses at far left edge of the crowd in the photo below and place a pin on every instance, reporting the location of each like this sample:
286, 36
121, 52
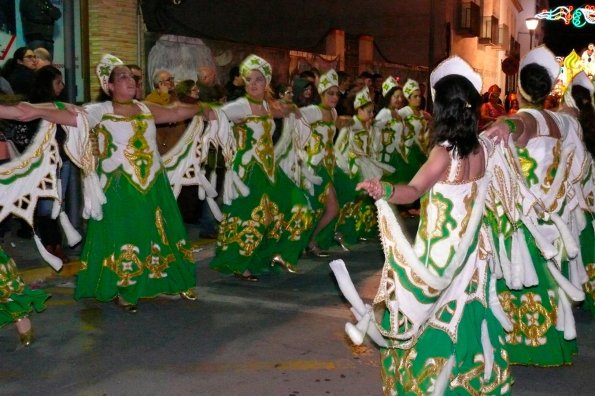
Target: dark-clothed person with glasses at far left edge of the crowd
20, 71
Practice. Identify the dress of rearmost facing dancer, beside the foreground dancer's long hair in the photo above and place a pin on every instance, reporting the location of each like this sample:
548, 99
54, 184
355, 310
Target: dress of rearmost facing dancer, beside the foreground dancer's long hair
414, 142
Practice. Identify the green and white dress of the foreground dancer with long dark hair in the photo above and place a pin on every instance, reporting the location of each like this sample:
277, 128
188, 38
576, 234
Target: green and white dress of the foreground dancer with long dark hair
437, 300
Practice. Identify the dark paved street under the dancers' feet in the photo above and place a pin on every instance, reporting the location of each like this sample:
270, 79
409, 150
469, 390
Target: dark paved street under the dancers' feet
281, 336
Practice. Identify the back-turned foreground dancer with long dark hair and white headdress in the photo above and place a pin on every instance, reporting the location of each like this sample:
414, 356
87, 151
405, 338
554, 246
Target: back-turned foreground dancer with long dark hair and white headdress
442, 321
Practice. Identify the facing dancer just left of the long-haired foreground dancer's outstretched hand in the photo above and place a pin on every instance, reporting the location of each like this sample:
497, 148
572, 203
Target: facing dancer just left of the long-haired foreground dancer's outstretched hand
356, 161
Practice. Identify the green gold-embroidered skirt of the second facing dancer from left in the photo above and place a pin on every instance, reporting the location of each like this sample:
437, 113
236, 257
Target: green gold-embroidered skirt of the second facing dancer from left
270, 221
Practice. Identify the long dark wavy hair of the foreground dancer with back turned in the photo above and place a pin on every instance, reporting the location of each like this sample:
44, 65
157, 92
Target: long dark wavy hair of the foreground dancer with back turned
456, 115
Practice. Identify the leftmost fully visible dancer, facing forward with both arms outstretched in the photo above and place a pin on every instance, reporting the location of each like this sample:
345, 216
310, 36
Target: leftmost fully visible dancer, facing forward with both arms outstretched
136, 244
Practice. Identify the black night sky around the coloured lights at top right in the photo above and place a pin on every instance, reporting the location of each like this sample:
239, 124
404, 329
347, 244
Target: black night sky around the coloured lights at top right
561, 38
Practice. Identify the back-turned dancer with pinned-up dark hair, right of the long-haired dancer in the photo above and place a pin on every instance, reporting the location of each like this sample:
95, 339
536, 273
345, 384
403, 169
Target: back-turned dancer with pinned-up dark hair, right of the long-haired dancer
548, 149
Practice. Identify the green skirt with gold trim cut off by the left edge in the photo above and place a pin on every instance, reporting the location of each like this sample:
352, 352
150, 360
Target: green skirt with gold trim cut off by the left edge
16, 300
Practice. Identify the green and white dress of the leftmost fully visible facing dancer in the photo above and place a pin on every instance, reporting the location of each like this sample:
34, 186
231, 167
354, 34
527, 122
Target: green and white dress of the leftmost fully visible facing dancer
138, 248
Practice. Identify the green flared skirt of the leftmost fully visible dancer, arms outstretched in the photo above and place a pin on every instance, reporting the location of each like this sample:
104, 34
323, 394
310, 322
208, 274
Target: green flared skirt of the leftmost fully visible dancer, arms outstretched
139, 248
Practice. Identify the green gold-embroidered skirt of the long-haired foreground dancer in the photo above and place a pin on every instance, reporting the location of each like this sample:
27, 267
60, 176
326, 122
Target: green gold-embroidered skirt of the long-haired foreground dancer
414, 371
